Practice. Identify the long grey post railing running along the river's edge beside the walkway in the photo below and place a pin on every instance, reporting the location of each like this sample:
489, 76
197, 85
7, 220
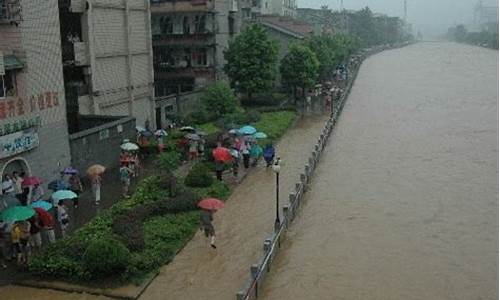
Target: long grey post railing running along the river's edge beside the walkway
272, 244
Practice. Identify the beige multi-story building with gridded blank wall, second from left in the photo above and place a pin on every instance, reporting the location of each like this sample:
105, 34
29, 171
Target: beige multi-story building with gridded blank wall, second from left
107, 59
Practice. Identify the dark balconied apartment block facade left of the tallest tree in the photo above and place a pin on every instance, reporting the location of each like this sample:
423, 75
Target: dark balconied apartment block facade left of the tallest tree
189, 39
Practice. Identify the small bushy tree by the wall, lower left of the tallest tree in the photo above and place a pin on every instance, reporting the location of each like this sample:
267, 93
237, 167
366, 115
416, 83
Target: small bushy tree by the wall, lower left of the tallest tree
219, 98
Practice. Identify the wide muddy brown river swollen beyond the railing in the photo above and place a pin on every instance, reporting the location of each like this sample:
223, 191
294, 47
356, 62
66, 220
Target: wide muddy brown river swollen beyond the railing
404, 204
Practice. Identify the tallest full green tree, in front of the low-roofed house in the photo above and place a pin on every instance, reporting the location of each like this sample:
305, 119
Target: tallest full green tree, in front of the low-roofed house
252, 61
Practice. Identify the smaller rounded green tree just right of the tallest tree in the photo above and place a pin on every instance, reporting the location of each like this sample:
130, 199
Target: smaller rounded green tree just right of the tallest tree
299, 68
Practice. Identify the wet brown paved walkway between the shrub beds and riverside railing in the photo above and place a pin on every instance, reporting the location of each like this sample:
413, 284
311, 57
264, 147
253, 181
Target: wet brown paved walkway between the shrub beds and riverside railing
200, 272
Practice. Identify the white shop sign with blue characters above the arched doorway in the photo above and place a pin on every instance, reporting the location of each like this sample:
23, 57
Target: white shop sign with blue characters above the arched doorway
18, 142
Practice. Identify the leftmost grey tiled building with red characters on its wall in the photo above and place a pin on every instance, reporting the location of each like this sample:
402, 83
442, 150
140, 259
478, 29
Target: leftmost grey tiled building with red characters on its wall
33, 128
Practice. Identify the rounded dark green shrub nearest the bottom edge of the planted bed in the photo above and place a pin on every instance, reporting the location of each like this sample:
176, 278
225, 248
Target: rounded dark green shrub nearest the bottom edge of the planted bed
106, 256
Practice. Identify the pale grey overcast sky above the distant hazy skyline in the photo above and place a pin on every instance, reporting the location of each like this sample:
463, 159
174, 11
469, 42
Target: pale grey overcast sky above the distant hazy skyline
429, 16
